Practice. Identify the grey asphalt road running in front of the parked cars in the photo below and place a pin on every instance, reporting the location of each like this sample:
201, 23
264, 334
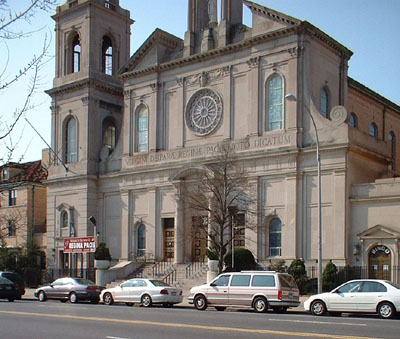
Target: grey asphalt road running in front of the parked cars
52, 319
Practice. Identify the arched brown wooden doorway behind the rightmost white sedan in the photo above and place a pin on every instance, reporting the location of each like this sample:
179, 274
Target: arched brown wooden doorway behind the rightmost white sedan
379, 263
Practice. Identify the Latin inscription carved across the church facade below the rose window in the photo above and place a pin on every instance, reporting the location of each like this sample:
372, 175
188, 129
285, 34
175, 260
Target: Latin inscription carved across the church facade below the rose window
208, 150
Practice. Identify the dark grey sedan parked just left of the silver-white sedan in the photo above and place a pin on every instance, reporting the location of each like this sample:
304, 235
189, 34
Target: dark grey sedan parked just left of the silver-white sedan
72, 289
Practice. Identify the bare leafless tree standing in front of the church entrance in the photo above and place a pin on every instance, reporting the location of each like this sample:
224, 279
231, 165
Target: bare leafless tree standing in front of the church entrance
220, 194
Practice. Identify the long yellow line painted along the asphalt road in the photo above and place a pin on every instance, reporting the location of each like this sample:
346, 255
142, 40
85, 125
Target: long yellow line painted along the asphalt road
189, 326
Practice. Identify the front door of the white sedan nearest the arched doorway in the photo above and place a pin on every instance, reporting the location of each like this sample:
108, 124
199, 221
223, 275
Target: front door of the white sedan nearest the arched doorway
344, 299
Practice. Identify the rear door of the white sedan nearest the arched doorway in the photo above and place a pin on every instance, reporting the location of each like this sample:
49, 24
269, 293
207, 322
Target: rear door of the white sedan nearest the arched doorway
371, 293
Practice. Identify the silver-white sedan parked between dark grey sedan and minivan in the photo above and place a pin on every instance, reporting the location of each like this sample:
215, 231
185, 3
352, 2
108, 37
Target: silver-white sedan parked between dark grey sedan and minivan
144, 291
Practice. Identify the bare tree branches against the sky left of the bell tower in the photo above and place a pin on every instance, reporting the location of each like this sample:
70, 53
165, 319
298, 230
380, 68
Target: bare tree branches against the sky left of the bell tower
9, 20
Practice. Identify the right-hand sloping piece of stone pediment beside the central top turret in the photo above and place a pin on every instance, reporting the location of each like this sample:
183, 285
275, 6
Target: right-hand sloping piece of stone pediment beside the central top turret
267, 20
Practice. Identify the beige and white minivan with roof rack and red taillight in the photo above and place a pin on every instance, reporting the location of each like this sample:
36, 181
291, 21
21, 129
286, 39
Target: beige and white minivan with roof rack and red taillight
259, 290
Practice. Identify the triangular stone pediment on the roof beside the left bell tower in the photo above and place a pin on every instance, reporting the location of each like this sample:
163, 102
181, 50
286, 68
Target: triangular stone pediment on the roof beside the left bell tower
157, 48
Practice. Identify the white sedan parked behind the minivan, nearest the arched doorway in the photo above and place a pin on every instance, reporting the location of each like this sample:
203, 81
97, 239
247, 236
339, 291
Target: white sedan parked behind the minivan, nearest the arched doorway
364, 296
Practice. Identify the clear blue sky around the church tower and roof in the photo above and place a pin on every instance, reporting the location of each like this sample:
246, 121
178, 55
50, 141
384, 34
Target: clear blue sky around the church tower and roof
369, 28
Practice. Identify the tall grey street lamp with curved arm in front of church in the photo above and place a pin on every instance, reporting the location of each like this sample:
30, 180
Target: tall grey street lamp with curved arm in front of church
292, 97
